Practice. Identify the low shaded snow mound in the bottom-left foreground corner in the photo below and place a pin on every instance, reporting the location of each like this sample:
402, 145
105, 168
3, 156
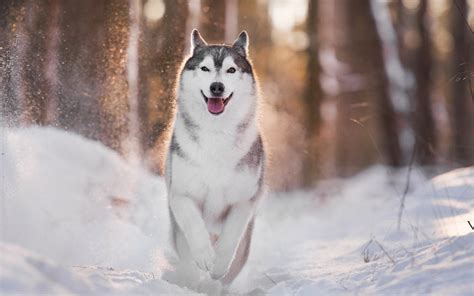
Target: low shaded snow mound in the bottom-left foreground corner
24, 272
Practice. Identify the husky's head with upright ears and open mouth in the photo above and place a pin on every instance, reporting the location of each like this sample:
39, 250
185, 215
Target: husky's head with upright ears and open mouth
218, 79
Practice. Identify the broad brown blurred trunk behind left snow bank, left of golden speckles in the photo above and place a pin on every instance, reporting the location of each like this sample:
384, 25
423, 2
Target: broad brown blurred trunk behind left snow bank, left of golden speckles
79, 71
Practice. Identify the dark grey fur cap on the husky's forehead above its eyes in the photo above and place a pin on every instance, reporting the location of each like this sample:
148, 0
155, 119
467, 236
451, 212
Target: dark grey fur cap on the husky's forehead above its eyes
218, 54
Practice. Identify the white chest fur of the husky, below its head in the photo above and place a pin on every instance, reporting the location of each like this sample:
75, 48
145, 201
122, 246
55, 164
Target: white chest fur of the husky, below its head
209, 171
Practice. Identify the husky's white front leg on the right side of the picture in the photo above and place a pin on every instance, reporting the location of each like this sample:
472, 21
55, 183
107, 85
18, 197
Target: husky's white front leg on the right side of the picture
229, 239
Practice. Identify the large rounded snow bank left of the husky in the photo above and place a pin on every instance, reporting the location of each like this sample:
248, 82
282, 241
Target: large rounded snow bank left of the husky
58, 195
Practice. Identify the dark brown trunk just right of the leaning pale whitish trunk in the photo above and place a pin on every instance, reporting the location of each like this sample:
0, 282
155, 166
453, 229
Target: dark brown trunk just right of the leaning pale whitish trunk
424, 125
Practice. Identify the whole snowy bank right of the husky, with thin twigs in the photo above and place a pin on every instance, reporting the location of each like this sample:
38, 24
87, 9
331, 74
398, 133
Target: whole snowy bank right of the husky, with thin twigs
343, 237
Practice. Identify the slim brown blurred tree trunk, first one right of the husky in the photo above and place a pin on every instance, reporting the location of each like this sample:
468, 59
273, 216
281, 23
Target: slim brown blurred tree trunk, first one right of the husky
312, 97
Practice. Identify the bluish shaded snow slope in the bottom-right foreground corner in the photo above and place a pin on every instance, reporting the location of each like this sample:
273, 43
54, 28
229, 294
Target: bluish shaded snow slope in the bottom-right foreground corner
443, 267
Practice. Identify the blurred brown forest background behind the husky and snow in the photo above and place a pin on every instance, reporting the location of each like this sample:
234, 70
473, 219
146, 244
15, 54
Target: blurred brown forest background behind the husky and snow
346, 84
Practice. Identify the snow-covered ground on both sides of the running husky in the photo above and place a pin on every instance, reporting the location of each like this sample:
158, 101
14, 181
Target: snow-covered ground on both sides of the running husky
76, 218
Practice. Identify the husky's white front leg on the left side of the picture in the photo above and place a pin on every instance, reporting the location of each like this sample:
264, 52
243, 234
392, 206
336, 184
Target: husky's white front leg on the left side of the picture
190, 221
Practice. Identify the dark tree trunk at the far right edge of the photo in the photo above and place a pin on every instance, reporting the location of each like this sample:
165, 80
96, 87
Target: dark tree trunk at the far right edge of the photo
462, 105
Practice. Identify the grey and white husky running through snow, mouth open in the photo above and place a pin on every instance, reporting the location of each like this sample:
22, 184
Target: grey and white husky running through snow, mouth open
215, 162
